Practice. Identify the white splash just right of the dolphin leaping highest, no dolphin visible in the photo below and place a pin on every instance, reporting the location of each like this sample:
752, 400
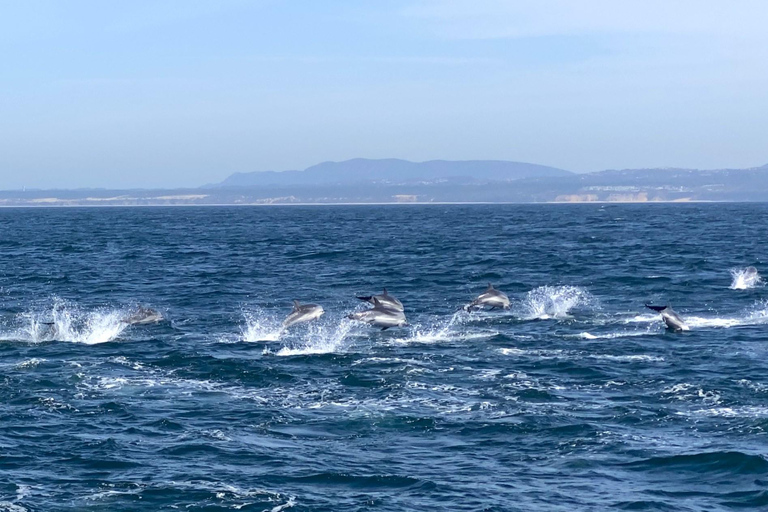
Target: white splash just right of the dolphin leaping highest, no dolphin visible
556, 302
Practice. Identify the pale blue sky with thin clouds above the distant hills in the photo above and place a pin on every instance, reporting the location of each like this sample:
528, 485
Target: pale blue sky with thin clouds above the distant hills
175, 93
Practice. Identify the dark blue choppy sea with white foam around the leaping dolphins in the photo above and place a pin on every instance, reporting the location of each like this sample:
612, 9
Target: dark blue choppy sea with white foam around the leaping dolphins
576, 398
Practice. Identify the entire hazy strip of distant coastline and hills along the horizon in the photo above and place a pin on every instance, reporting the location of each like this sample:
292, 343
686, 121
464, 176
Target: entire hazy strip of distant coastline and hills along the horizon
401, 181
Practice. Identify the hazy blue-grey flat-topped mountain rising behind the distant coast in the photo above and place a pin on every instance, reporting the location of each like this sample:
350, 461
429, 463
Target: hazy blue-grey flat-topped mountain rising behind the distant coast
391, 170
